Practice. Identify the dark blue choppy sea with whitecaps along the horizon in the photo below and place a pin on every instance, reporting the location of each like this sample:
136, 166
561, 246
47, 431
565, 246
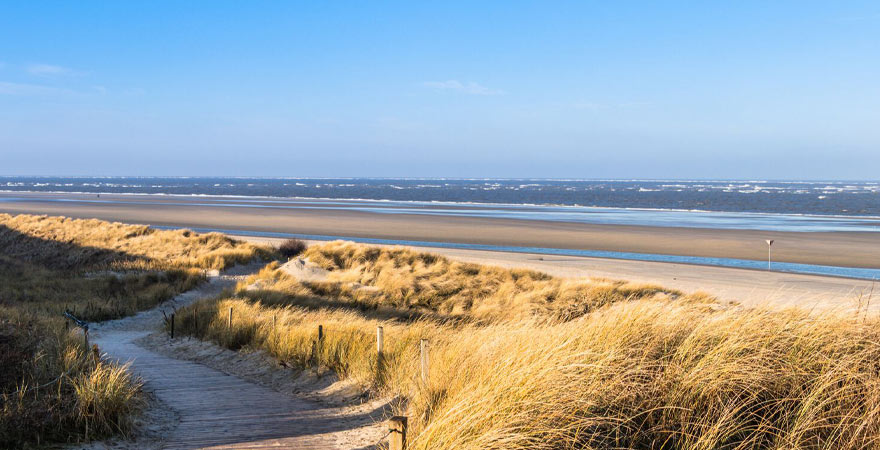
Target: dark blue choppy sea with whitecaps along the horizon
853, 199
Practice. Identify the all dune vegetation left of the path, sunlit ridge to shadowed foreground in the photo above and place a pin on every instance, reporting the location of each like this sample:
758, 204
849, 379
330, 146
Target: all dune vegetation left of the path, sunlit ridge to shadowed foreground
52, 388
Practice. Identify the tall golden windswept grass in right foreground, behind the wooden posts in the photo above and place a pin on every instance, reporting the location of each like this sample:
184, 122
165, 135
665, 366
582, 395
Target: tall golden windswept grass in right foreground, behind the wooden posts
650, 373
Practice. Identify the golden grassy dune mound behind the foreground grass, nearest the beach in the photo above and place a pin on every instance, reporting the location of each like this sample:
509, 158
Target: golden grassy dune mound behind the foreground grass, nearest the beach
401, 277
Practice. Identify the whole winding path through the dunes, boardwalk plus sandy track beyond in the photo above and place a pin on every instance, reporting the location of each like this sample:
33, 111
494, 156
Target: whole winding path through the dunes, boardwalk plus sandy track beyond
217, 410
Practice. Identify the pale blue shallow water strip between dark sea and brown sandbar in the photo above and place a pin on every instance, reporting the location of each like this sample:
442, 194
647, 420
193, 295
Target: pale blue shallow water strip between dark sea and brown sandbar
618, 216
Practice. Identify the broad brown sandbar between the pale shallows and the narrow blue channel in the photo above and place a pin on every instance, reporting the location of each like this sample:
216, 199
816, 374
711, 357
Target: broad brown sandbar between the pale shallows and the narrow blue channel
844, 249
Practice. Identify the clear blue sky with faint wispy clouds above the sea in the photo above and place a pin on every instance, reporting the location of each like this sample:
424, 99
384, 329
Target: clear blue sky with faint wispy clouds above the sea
764, 89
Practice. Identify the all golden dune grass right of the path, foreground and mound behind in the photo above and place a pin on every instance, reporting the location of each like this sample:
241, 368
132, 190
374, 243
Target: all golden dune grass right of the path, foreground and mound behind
520, 360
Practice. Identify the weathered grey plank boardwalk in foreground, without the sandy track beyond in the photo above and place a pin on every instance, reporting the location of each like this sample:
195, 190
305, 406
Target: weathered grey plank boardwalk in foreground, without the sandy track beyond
219, 411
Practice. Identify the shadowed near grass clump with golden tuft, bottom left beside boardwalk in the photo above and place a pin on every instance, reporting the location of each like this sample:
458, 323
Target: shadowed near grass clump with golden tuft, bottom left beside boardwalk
54, 390
